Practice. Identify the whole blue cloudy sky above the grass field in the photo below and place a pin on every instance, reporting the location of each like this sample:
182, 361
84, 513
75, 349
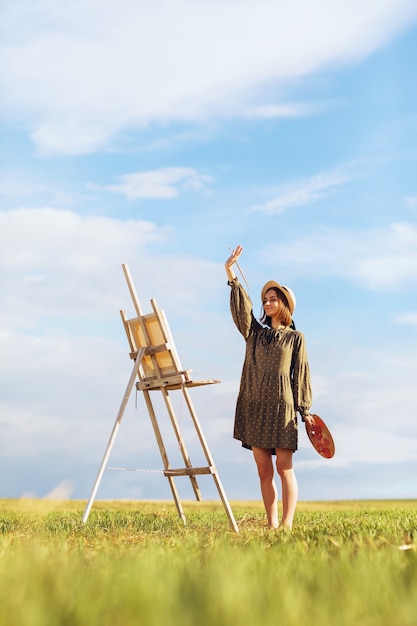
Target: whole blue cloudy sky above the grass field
160, 134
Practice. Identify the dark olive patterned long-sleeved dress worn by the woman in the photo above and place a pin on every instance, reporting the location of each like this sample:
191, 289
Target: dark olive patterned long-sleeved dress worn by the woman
275, 381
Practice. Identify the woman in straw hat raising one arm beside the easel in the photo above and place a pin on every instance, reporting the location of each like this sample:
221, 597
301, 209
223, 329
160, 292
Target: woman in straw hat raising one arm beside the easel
275, 384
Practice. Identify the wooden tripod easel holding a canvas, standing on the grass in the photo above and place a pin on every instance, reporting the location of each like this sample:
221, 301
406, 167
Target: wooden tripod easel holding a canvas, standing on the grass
157, 368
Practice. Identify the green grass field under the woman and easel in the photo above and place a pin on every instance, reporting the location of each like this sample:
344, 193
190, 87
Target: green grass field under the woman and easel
344, 564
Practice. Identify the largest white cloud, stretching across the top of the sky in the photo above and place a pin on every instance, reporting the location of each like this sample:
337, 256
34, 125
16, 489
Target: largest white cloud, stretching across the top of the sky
79, 72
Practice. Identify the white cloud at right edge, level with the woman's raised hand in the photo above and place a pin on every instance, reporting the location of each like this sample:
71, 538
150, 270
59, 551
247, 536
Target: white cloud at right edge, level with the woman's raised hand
380, 258
